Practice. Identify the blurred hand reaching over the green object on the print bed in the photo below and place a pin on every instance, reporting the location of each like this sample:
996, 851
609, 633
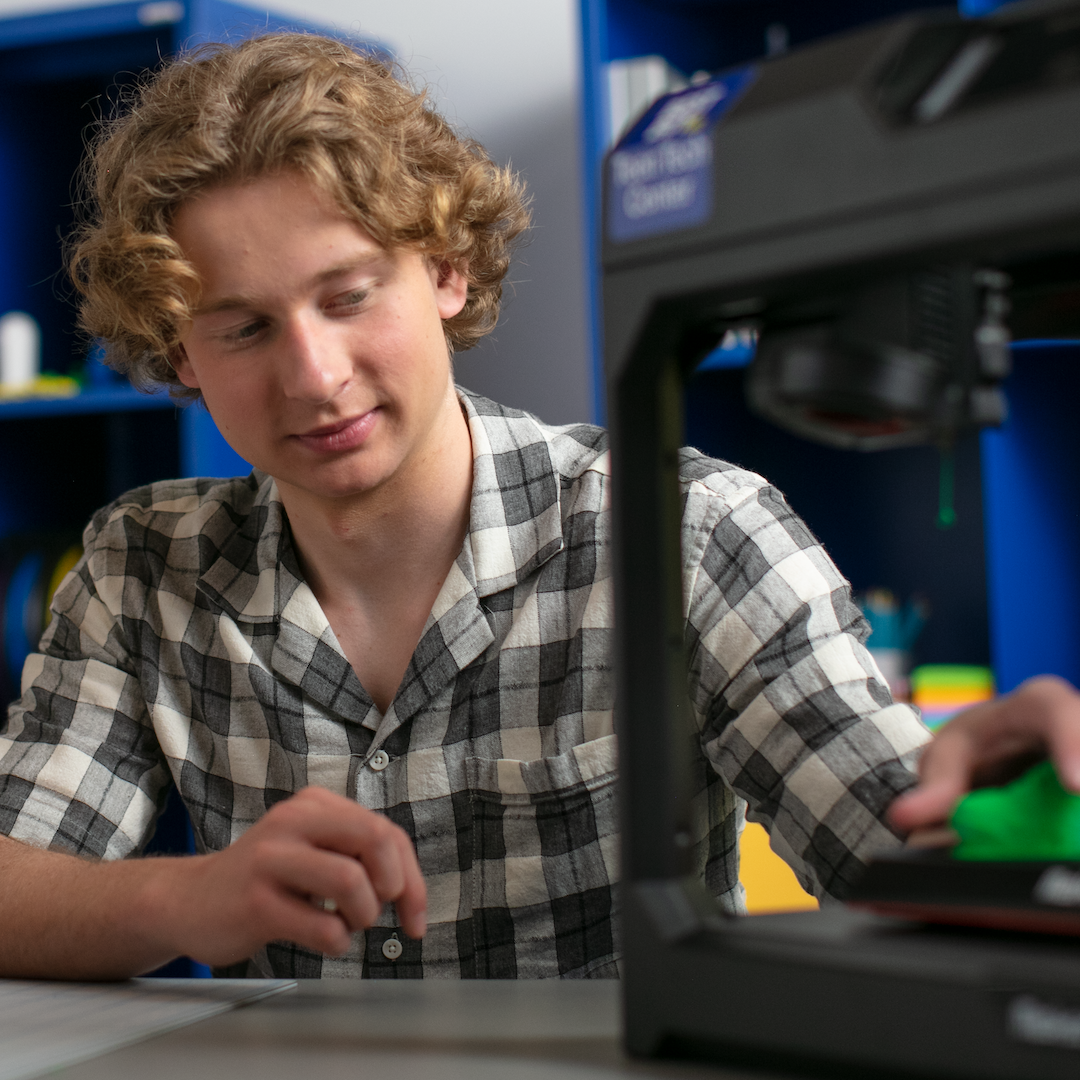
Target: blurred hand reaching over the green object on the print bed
992, 745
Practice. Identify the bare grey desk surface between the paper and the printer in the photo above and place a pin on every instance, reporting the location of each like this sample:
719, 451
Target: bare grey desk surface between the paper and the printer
401, 1031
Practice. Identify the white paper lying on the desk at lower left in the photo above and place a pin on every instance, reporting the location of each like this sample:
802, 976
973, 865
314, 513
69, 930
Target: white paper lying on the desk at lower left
46, 1027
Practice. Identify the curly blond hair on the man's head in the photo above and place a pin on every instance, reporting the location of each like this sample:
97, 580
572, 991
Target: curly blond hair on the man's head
345, 119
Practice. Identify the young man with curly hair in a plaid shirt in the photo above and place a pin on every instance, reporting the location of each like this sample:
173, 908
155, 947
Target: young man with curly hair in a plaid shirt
379, 670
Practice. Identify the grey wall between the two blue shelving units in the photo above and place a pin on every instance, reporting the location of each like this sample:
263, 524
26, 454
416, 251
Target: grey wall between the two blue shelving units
505, 72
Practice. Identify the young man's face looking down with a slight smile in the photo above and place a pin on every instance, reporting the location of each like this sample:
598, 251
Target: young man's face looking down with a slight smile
320, 355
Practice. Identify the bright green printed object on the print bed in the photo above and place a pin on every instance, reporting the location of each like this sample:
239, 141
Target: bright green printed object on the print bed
1032, 819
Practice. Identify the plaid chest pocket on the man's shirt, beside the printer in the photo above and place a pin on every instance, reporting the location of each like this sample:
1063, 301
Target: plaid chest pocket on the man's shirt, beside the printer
545, 862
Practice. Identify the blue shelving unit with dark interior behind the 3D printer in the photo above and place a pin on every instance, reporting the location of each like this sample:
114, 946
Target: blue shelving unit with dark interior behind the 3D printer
1004, 585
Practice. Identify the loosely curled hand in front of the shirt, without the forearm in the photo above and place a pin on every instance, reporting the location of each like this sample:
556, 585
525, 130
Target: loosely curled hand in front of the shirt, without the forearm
312, 848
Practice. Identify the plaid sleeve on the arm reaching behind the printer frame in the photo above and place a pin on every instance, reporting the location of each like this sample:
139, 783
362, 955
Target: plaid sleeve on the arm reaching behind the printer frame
792, 709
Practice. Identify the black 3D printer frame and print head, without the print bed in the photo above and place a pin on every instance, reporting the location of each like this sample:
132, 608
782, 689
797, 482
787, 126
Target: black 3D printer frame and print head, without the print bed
883, 208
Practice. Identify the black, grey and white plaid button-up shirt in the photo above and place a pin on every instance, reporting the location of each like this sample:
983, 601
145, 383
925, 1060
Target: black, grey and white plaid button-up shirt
186, 649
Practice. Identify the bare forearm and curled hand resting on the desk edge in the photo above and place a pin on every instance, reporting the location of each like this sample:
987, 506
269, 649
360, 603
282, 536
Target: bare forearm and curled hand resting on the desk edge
63, 917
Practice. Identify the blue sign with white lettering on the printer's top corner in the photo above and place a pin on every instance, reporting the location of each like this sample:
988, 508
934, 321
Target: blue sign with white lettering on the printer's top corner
660, 177
